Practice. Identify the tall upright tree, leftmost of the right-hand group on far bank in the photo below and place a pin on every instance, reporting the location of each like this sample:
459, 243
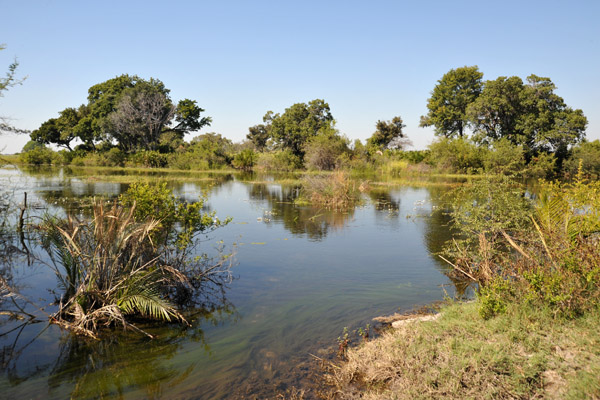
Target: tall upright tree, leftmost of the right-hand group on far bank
449, 101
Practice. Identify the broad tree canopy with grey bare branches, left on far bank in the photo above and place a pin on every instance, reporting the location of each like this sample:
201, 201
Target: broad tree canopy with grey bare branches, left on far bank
129, 110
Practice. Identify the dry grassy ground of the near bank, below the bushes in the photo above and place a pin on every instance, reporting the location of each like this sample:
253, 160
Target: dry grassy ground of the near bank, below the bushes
524, 353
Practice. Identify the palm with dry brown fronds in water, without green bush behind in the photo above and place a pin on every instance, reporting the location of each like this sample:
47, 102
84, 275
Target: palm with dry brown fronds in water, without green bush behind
110, 268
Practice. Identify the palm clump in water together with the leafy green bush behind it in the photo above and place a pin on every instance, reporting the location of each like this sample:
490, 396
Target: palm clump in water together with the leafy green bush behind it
131, 260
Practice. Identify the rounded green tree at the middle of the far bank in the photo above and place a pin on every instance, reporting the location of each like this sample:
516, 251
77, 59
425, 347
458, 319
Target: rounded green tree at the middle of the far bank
298, 124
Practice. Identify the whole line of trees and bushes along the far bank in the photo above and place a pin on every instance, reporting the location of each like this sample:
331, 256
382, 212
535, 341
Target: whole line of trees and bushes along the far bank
499, 126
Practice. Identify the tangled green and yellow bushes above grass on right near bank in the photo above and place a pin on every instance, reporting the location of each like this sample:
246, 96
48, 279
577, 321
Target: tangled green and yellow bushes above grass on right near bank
543, 252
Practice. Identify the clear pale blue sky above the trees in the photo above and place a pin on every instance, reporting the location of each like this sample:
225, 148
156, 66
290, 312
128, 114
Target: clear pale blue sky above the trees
369, 60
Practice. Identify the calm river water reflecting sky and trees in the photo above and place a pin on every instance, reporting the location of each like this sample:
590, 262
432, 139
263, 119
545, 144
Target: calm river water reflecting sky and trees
302, 275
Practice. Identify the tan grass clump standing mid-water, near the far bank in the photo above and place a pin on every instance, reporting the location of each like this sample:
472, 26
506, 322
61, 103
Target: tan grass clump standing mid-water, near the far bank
337, 190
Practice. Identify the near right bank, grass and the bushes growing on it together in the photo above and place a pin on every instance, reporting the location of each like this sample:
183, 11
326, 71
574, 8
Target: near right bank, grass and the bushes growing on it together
531, 331
